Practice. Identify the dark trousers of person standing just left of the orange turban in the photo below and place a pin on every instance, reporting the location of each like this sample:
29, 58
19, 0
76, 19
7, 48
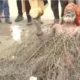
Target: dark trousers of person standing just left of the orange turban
54, 7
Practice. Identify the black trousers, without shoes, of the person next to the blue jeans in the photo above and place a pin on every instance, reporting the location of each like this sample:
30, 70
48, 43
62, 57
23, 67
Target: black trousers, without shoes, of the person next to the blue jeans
27, 7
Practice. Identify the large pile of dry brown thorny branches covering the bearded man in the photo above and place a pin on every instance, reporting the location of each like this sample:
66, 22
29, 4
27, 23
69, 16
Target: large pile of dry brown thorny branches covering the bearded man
57, 58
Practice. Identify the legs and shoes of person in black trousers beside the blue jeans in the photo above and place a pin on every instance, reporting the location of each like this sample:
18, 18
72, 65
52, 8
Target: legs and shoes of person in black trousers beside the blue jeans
20, 12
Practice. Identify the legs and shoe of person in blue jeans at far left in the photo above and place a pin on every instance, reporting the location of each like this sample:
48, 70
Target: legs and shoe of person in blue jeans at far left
4, 8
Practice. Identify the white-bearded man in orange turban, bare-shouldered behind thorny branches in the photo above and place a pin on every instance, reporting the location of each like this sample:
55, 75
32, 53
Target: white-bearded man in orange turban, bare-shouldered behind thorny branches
70, 22
